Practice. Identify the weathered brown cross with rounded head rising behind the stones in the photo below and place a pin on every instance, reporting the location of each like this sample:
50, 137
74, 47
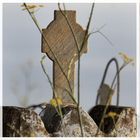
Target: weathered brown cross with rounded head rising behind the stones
61, 42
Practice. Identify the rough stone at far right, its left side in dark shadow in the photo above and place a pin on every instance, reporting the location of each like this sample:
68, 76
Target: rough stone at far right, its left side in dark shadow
122, 122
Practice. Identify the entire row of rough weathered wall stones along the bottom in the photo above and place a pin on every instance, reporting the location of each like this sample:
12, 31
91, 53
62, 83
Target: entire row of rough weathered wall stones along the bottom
21, 122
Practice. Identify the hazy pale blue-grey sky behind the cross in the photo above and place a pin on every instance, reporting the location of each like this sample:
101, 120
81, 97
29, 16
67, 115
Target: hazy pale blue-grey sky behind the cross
22, 44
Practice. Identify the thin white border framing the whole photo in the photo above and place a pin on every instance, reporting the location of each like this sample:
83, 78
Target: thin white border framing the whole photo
137, 2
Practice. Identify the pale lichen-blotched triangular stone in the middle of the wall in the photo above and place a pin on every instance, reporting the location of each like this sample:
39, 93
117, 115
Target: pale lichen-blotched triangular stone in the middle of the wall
71, 127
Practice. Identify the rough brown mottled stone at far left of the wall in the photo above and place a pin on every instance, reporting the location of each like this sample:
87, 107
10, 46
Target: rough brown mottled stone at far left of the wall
21, 122
